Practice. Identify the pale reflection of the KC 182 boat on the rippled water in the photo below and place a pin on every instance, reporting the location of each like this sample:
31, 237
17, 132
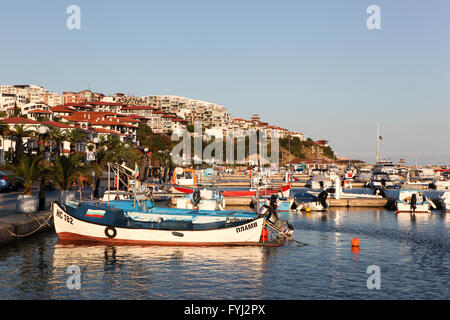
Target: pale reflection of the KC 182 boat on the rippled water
159, 272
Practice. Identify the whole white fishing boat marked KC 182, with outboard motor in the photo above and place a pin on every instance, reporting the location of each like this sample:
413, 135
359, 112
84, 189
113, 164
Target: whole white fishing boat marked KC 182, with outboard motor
105, 224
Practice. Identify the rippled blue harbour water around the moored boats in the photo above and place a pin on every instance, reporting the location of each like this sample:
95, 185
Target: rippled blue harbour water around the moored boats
412, 254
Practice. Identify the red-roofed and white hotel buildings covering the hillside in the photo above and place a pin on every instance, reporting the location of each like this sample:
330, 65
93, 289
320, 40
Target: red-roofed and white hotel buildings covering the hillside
119, 114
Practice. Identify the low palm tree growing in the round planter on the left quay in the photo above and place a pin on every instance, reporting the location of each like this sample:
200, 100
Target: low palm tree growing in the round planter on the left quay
30, 169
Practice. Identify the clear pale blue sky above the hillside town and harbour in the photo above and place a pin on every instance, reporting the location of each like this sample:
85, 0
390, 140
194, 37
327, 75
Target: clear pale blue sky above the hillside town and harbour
308, 66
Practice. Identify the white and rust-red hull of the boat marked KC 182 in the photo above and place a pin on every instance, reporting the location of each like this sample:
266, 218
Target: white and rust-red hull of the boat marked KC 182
69, 227
